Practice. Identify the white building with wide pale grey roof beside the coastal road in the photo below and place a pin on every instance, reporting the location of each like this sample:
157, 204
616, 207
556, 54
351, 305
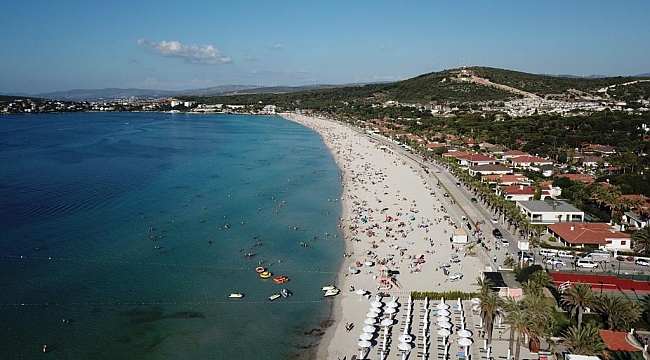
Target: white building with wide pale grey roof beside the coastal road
549, 211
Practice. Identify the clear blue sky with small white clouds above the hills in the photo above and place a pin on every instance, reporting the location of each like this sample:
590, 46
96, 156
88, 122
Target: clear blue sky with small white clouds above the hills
171, 45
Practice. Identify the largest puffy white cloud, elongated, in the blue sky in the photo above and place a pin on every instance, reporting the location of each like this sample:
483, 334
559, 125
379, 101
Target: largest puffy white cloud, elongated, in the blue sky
194, 54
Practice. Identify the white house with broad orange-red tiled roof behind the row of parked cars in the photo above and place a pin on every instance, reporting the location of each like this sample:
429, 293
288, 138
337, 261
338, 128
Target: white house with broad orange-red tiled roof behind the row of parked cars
579, 234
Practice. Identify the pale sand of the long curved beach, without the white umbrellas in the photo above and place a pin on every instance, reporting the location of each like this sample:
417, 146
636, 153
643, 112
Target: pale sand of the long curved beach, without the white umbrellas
393, 214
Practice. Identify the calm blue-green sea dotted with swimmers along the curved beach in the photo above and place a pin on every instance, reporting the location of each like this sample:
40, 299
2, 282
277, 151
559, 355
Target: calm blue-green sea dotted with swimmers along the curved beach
123, 234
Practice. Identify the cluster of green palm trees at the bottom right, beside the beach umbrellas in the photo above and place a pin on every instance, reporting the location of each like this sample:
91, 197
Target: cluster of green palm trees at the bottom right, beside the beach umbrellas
534, 317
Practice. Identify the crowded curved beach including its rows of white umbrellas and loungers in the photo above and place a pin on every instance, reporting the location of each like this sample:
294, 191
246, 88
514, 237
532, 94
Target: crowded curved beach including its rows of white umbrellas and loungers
395, 215
